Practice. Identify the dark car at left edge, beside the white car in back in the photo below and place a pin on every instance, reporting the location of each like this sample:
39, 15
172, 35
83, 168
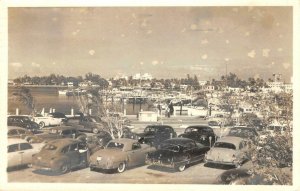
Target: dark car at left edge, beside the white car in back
22, 121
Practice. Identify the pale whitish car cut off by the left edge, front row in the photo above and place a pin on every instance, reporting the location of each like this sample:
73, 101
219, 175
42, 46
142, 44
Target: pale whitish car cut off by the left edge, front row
19, 152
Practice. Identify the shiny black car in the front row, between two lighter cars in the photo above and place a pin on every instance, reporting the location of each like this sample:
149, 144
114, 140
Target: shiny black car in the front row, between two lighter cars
177, 153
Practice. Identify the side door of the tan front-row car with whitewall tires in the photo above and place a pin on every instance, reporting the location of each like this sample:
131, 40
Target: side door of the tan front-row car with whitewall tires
136, 156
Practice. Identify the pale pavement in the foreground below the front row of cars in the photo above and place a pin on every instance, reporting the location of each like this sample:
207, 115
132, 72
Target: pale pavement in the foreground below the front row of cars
196, 174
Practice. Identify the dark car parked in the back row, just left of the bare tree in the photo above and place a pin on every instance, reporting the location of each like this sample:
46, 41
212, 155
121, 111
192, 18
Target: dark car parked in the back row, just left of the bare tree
91, 124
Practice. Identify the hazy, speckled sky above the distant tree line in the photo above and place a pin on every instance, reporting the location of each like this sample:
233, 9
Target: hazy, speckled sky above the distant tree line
167, 42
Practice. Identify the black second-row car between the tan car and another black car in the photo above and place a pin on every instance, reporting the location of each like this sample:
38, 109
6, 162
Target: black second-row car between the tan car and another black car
155, 134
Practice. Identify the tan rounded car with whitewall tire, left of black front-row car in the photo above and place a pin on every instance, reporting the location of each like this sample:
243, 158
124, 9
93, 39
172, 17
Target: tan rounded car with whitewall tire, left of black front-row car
120, 154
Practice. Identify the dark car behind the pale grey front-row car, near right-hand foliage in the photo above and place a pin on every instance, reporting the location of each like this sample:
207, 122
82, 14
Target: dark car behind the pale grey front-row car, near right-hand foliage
244, 132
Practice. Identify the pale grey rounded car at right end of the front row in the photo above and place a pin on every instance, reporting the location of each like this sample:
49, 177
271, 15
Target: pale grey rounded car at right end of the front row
228, 151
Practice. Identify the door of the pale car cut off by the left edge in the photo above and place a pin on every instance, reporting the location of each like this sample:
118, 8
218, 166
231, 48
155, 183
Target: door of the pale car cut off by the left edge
14, 158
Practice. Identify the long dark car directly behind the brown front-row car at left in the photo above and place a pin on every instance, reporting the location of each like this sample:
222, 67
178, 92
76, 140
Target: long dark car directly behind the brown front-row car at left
58, 133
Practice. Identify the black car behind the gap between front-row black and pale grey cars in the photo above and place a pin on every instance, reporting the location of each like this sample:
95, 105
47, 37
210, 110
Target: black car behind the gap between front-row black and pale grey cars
200, 133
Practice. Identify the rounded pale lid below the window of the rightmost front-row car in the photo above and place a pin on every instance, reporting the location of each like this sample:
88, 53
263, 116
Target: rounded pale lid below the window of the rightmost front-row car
220, 154
